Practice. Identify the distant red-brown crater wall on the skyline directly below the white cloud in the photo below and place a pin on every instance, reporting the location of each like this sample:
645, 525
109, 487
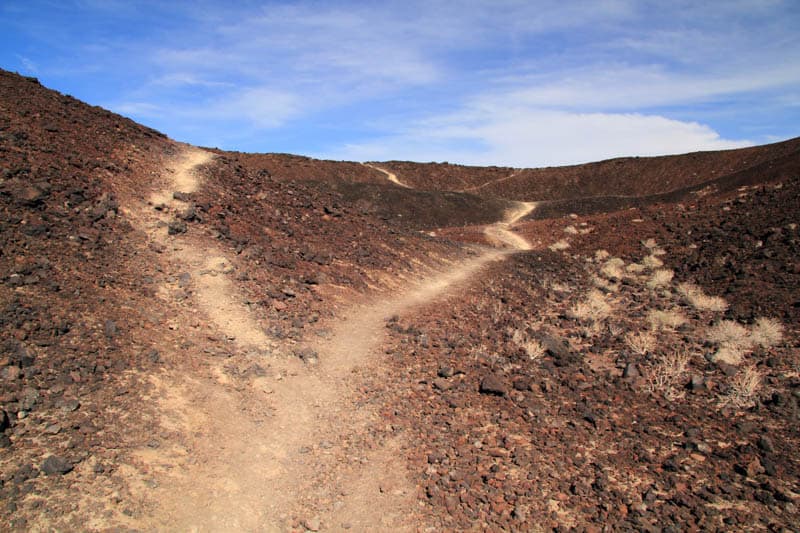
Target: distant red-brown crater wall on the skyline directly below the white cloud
628, 176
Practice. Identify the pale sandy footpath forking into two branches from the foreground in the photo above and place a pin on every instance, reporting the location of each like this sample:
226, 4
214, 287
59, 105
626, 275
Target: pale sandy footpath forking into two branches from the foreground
289, 443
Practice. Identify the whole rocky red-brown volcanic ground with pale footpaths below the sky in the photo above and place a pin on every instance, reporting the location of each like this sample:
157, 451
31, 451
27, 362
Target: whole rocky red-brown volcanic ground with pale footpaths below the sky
227, 341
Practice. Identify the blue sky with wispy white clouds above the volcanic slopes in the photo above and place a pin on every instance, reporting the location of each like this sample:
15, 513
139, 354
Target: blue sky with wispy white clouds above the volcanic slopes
505, 82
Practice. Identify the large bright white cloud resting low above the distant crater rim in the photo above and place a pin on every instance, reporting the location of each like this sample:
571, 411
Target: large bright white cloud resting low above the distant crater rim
533, 138
